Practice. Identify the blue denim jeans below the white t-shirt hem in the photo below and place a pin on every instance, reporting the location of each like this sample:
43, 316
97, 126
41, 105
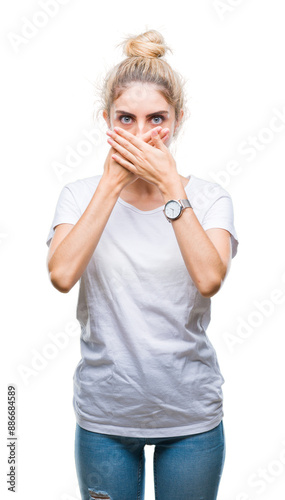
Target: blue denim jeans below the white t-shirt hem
185, 467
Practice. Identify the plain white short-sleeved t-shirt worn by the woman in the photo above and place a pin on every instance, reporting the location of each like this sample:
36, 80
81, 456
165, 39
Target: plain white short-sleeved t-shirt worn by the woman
148, 368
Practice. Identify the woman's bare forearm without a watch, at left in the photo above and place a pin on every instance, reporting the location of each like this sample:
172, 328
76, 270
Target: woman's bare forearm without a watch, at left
72, 255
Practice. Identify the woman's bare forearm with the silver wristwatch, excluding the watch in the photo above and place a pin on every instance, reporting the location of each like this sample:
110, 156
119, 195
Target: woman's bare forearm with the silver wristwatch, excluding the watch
201, 257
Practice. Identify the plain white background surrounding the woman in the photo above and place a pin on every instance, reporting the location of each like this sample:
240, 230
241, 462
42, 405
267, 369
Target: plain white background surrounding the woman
232, 54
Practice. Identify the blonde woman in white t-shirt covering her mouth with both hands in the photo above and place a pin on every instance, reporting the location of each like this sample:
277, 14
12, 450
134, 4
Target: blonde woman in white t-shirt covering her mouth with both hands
148, 264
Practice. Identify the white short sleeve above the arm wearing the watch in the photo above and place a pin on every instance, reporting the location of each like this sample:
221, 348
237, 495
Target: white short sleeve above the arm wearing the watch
221, 215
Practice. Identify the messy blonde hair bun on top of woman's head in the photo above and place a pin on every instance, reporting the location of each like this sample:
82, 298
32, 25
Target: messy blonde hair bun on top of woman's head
148, 44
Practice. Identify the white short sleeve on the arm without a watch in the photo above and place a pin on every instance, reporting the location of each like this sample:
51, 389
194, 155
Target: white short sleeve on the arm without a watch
67, 210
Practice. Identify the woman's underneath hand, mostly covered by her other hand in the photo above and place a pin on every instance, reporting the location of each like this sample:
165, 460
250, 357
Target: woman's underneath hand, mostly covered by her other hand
121, 175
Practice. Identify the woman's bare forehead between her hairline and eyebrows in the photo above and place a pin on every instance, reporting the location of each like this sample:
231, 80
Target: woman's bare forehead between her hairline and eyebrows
140, 96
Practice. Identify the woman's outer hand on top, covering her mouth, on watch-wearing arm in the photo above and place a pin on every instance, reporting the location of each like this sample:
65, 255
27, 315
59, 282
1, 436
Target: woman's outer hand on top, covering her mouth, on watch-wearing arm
154, 163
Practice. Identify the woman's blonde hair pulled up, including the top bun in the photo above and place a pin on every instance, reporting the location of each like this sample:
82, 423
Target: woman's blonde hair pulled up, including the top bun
145, 63
